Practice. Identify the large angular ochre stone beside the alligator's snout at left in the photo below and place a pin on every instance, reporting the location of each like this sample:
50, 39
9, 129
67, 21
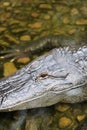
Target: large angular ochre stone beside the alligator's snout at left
9, 68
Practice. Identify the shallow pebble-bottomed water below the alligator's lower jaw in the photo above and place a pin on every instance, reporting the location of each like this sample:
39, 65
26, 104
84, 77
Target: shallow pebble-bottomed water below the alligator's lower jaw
59, 116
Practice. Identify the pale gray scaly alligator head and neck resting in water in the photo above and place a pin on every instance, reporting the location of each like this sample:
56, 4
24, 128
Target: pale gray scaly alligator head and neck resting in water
59, 76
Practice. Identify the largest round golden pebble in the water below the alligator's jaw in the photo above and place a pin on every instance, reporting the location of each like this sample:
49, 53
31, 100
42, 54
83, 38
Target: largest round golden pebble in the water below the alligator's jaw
64, 122
